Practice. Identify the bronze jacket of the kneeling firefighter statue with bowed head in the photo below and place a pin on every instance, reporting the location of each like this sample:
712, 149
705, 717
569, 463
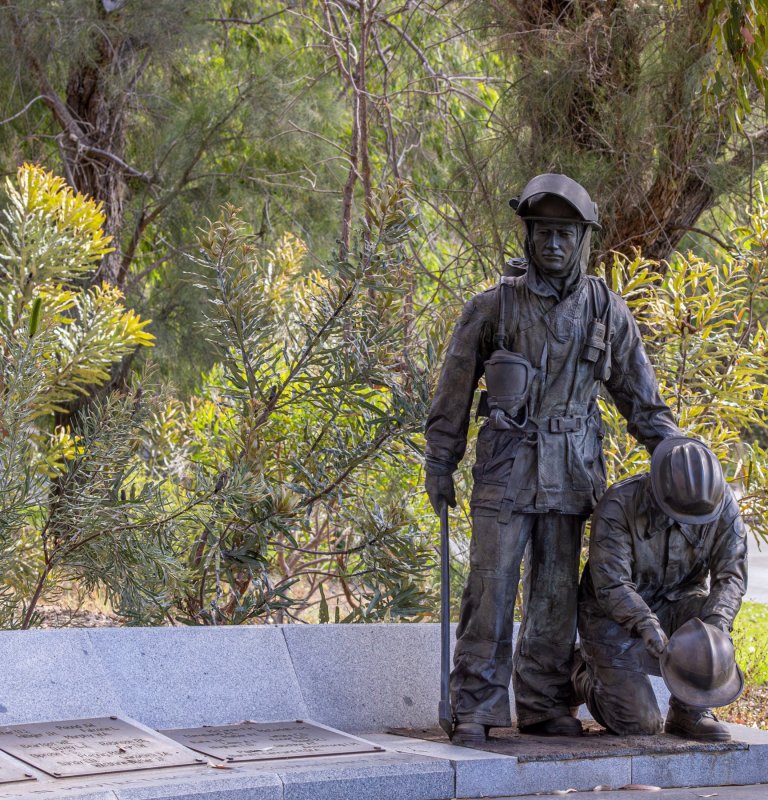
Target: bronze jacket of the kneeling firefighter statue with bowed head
640, 561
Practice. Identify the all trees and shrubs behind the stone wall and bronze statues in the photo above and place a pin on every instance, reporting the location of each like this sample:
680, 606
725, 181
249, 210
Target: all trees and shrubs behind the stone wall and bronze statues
235, 235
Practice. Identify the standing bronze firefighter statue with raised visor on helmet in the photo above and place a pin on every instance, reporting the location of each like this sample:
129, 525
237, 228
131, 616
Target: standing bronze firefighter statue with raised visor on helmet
546, 340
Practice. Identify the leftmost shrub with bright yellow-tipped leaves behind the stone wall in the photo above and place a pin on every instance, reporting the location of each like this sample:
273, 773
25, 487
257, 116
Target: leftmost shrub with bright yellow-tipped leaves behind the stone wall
58, 342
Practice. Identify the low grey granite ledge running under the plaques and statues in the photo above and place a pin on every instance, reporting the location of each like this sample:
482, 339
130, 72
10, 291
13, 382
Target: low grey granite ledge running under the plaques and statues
414, 769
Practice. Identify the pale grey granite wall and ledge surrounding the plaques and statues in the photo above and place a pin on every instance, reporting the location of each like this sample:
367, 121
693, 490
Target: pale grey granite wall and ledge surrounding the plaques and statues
356, 678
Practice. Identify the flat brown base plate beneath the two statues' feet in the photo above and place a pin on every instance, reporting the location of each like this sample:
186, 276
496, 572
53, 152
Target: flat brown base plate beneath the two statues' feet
596, 743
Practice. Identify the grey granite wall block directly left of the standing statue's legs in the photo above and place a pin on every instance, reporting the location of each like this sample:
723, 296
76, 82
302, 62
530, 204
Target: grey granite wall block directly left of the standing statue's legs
368, 677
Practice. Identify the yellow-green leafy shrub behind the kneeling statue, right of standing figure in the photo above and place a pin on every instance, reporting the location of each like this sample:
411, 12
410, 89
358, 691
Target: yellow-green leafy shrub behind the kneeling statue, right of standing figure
703, 332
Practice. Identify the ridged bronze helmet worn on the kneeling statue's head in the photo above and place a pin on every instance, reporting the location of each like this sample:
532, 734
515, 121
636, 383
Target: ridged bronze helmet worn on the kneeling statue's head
687, 481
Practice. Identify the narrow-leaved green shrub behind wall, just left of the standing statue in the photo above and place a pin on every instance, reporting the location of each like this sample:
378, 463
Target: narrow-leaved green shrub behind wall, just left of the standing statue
312, 405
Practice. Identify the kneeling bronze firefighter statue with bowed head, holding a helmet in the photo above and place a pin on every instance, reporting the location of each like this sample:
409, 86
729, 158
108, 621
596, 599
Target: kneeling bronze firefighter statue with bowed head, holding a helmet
667, 558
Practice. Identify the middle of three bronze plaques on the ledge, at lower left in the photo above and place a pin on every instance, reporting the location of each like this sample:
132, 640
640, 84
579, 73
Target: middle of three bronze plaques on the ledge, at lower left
77, 747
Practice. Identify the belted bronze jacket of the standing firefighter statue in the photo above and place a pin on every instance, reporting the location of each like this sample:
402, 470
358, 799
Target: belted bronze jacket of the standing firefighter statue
554, 462
